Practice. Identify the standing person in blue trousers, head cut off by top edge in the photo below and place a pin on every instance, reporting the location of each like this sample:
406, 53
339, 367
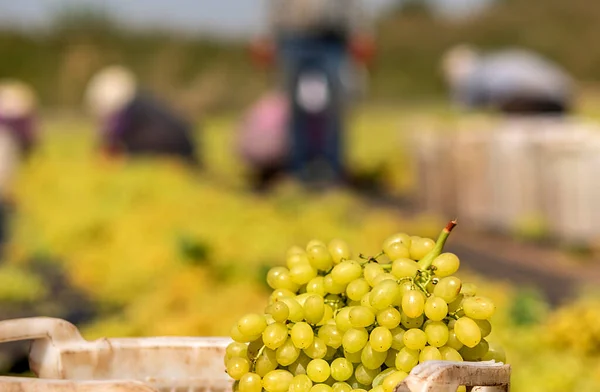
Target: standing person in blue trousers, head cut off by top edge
314, 43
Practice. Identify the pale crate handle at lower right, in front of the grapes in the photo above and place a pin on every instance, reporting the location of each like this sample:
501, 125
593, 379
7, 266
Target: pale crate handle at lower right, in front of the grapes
444, 376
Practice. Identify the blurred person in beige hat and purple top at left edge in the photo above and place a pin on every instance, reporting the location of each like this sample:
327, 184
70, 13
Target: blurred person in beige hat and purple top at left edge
18, 134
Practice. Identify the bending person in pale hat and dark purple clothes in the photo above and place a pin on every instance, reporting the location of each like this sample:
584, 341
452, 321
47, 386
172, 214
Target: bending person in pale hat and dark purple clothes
133, 122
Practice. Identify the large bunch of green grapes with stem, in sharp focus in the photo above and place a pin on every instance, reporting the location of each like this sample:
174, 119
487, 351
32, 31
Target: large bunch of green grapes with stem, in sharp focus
338, 324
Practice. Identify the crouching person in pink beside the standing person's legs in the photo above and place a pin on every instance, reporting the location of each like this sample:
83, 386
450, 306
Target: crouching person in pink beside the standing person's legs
262, 139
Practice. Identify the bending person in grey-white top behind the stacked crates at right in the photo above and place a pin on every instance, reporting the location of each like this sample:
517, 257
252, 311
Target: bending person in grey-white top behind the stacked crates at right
514, 81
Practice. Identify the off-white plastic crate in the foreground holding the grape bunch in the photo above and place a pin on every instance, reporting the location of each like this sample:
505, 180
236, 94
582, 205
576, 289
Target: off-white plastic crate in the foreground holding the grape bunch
65, 362
